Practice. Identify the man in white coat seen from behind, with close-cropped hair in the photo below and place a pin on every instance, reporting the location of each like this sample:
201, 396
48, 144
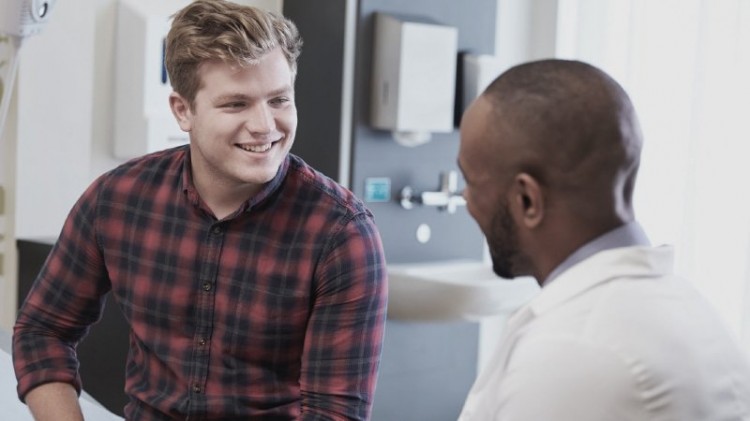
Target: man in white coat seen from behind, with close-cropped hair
550, 153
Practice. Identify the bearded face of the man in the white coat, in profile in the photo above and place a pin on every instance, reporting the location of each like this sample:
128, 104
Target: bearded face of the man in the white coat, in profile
486, 187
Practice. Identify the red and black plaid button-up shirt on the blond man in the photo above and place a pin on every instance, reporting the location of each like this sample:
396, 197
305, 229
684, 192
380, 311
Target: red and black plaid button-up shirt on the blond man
274, 313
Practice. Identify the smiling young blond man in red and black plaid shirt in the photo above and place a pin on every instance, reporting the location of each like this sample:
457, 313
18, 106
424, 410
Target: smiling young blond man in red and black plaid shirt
254, 287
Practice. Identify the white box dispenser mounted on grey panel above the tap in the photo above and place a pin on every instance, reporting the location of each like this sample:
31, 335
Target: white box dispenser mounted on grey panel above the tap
413, 78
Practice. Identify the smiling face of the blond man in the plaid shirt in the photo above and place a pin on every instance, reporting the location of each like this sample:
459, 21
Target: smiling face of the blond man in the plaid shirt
242, 123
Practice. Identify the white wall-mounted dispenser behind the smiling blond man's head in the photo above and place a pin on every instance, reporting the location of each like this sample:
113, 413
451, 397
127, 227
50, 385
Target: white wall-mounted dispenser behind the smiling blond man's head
143, 120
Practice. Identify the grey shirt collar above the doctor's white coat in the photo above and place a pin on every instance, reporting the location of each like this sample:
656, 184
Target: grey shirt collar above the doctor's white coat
630, 234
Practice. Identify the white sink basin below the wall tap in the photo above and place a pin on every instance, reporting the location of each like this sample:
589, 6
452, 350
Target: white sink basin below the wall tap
453, 290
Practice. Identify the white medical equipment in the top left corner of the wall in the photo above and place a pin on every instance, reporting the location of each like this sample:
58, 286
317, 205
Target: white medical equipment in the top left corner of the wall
19, 19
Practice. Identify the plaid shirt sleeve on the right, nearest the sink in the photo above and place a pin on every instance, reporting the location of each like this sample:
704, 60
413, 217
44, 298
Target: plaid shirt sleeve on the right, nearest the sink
345, 332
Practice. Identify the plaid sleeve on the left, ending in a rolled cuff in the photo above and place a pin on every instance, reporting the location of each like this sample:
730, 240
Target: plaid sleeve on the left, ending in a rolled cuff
65, 299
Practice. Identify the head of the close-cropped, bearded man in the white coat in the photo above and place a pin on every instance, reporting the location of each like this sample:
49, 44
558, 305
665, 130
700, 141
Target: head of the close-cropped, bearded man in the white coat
549, 153
